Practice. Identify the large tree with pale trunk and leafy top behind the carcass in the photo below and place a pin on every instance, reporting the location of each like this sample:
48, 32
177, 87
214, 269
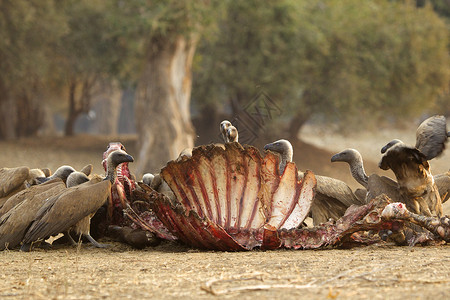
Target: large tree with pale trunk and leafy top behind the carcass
165, 35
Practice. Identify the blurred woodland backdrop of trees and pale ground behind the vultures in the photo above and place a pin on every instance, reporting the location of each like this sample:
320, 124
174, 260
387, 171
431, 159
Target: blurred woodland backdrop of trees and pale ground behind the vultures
160, 76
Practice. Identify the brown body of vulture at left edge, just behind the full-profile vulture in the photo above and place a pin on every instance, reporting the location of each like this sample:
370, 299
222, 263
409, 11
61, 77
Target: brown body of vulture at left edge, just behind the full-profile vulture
22, 210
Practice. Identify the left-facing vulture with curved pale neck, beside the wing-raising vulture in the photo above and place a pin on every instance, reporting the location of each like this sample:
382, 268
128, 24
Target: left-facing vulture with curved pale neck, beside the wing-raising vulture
374, 184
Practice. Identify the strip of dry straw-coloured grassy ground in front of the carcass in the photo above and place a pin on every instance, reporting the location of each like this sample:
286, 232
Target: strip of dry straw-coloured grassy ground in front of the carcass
172, 271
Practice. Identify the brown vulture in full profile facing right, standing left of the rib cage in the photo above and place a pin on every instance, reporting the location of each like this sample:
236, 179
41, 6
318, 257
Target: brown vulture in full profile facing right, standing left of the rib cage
61, 212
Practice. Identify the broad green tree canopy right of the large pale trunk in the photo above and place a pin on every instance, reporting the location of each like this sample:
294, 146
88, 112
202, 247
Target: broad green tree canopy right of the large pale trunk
341, 60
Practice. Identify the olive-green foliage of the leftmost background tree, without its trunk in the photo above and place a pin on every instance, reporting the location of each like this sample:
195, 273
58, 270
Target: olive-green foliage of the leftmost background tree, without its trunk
27, 31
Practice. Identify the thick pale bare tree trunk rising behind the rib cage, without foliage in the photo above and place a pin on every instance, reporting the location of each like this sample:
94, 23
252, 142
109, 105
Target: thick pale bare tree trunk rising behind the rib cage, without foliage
162, 108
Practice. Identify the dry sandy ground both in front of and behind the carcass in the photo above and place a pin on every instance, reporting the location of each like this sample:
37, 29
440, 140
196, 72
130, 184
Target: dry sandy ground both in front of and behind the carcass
173, 271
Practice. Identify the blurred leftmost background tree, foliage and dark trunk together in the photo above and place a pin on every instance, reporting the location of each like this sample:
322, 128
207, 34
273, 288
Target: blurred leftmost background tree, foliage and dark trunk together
28, 30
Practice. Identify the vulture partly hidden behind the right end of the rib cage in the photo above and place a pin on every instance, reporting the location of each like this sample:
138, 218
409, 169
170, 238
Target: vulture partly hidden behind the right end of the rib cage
333, 196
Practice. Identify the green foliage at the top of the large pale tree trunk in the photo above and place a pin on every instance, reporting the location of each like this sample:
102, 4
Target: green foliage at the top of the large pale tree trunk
144, 26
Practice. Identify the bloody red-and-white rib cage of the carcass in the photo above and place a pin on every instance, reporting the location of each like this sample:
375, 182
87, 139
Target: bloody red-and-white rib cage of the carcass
226, 197
